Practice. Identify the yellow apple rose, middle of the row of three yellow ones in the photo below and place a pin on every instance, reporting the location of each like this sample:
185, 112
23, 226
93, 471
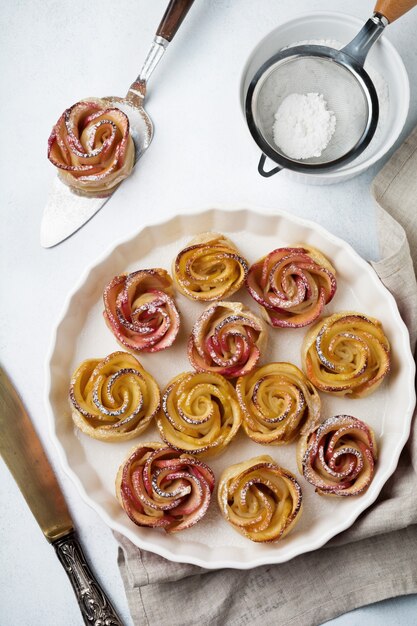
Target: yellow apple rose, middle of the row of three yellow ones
200, 413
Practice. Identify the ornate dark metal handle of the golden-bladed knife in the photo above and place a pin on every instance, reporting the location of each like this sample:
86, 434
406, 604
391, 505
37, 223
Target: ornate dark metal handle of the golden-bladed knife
95, 606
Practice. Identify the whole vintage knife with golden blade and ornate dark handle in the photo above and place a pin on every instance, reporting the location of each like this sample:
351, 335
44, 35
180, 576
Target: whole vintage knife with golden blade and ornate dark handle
23, 453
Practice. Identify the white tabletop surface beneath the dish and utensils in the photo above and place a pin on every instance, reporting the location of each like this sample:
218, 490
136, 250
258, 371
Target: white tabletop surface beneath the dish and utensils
53, 54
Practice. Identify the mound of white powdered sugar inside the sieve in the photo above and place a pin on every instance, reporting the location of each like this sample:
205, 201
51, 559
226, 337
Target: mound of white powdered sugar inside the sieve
303, 125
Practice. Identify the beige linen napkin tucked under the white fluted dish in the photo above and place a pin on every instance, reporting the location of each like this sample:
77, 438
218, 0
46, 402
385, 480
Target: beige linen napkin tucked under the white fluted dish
373, 560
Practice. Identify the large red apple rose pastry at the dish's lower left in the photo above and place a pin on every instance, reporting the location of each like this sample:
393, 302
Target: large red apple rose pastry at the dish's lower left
160, 488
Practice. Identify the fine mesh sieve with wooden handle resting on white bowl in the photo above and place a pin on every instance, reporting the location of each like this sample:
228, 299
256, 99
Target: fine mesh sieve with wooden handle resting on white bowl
339, 76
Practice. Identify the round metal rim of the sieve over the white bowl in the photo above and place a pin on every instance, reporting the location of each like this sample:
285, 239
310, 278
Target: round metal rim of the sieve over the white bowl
316, 51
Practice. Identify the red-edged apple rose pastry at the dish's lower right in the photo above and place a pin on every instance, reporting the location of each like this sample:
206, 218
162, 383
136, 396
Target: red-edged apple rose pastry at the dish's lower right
338, 457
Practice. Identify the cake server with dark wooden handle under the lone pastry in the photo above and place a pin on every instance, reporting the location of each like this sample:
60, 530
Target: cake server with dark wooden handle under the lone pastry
65, 211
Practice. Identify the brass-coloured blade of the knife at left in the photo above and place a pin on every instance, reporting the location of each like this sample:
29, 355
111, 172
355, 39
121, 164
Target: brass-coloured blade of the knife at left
23, 453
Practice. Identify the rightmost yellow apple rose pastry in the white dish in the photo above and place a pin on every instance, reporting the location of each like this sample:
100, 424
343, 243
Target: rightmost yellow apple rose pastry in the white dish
346, 354
